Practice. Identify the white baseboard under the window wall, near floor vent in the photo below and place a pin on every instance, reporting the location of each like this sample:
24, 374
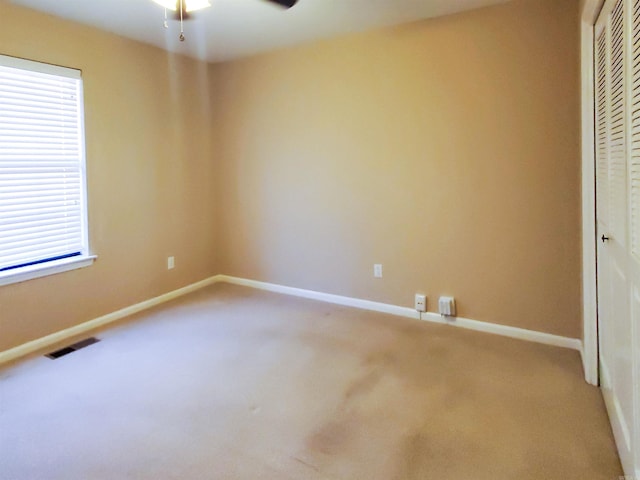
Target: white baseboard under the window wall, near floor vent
62, 335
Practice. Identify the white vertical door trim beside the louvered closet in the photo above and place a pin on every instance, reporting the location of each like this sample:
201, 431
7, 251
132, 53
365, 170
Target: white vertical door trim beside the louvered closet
590, 9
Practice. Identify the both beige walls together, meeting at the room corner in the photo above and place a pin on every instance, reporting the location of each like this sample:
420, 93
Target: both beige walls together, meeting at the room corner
446, 150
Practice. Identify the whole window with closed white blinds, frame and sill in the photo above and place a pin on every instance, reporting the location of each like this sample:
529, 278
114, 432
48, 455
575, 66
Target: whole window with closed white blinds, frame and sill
43, 208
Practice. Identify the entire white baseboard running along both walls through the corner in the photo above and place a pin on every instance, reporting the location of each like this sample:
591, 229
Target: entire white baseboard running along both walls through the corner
504, 330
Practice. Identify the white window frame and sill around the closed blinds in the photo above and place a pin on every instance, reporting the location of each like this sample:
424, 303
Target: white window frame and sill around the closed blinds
85, 258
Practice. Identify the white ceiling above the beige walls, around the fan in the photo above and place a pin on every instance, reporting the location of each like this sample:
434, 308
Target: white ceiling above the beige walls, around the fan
236, 28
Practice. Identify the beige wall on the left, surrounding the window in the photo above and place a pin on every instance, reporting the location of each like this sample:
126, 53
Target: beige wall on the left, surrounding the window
150, 175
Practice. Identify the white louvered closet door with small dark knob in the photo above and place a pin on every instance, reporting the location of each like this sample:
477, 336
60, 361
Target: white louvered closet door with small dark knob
617, 67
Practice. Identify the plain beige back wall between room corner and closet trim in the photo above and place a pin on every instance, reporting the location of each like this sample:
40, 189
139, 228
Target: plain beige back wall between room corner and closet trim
447, 150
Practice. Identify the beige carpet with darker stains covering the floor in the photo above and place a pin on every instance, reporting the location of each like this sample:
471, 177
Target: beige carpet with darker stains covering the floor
234, 383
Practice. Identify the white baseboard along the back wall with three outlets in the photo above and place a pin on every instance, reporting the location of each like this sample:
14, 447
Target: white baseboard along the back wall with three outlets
504, 330
